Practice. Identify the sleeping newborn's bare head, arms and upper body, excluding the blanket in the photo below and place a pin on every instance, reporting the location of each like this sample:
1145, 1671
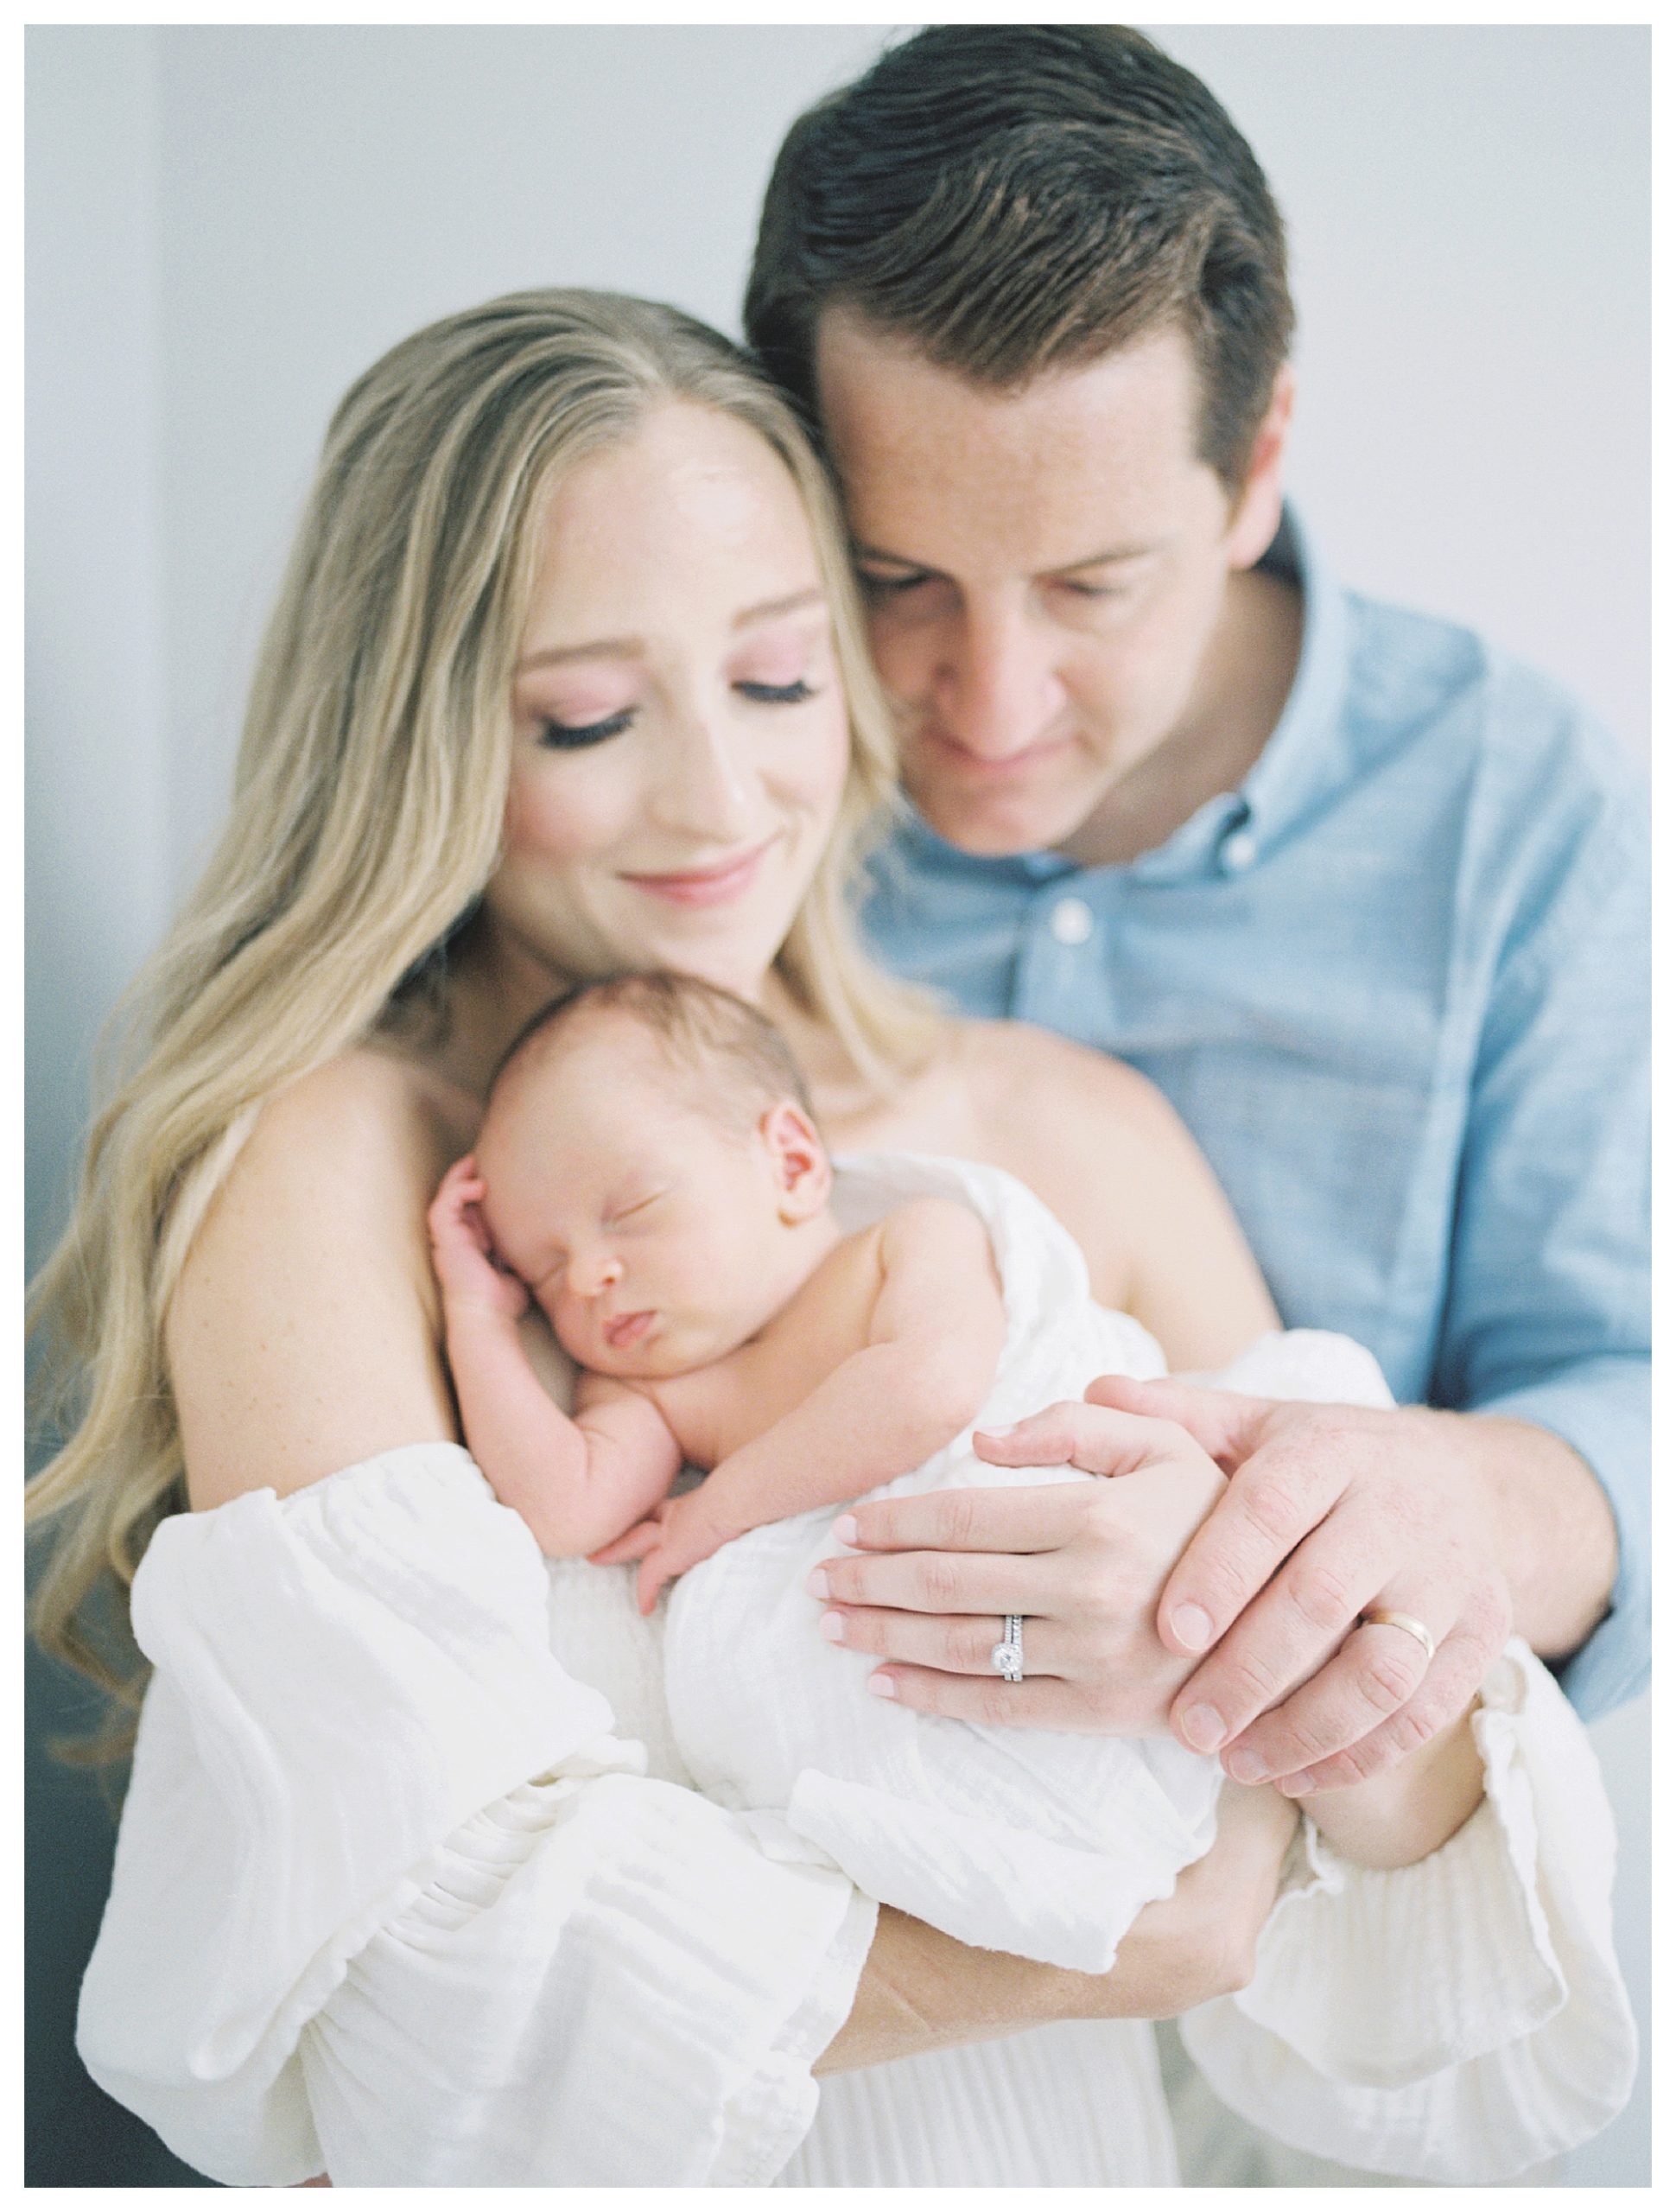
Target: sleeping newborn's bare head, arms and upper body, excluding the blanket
651, 1176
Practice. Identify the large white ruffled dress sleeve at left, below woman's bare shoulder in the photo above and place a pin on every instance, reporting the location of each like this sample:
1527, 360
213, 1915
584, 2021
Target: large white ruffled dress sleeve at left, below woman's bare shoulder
392, 1899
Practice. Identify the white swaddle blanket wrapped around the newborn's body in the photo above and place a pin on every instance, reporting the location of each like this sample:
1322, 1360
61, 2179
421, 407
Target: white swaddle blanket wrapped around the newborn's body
1014, 1839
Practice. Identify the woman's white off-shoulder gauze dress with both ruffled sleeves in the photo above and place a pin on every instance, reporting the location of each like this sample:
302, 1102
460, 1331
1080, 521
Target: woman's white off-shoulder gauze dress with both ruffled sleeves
412, 1890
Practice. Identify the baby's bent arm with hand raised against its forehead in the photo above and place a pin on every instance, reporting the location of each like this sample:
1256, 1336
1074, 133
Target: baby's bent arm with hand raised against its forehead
578, 1483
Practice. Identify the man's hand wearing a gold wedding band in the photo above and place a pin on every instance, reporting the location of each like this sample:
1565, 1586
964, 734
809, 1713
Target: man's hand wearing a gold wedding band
1330, 1512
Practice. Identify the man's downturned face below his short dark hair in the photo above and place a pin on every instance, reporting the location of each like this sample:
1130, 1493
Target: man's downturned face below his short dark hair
1045, 567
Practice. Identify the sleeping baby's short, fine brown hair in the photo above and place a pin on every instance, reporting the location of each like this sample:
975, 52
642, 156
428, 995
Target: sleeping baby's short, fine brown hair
695, 1025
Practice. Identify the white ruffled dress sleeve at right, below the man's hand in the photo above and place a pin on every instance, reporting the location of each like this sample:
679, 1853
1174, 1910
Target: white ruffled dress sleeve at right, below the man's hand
1463, 2018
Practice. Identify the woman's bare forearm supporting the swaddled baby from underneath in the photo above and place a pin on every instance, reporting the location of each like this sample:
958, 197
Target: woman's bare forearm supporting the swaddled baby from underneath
925, 1992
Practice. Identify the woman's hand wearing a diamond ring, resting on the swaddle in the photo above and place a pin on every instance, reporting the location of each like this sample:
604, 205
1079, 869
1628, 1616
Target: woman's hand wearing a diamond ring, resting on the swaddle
1082, 1563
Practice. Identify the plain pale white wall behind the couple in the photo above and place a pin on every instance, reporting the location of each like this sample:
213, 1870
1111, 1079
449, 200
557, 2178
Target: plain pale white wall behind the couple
227, 225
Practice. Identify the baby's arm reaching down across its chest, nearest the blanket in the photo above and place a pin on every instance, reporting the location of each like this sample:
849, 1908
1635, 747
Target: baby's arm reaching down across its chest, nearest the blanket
934, 1339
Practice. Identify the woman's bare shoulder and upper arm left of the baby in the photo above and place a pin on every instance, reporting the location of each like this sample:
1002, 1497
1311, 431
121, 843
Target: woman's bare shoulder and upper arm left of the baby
304, 1333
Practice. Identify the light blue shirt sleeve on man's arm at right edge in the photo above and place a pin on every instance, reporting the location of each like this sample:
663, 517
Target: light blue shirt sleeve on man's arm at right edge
1549, 1306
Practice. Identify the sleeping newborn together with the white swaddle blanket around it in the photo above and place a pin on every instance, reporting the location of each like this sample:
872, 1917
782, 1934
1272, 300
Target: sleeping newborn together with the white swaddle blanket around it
651, 1169
